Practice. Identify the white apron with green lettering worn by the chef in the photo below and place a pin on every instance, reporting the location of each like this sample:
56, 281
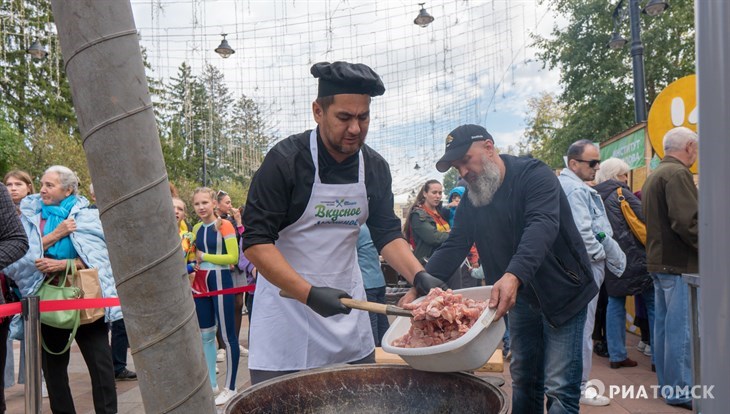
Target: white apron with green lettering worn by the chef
321, 246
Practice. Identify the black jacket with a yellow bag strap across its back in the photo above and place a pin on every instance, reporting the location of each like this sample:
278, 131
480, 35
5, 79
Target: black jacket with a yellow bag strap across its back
635, 278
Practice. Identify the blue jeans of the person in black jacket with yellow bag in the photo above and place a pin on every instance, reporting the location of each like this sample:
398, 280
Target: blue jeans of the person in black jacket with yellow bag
616, 324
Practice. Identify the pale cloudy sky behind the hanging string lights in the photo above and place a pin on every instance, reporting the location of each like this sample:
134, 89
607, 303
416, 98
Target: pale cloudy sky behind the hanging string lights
473, 64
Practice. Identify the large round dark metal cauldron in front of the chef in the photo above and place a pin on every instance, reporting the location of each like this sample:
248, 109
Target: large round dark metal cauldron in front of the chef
371, 389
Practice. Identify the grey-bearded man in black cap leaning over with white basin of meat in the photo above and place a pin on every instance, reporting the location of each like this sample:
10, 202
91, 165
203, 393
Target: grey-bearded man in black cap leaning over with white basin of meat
515, 211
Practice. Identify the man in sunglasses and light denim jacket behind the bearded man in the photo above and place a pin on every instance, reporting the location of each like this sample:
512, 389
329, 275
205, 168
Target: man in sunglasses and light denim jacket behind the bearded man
590, 218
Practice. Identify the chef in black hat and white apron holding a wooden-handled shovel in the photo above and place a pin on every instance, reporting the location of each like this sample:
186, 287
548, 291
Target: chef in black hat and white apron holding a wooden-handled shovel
303, 215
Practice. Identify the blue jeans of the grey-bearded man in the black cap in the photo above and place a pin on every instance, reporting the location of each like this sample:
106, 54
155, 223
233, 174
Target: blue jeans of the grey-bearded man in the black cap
546, 361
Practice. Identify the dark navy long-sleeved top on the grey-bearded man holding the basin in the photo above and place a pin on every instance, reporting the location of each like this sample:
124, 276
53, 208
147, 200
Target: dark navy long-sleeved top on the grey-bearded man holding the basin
527, 230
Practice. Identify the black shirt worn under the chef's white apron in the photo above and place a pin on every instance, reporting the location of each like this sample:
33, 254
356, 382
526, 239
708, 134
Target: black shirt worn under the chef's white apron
282, 186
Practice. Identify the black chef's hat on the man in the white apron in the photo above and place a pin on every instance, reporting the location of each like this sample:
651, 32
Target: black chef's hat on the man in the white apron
346, 78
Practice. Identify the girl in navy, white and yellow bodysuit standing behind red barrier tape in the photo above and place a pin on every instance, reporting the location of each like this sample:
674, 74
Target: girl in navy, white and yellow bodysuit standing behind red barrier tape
216, 250
